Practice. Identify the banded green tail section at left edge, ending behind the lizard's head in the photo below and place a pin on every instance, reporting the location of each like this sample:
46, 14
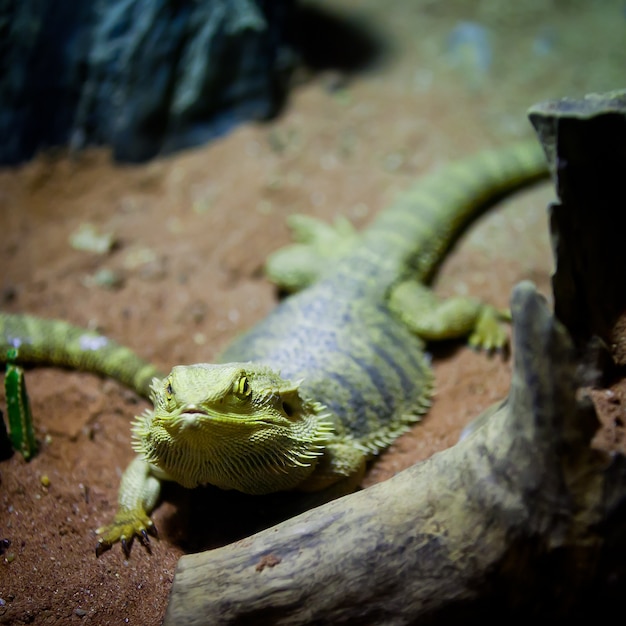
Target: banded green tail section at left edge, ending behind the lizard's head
53, 342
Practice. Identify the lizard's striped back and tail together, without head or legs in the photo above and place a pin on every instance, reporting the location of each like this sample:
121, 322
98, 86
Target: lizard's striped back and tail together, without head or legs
338, 335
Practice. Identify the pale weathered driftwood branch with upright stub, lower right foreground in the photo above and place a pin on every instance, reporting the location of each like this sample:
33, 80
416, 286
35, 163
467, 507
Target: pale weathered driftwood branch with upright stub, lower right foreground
522, 517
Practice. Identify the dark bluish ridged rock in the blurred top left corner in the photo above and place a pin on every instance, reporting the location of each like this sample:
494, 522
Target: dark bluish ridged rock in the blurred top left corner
144, 76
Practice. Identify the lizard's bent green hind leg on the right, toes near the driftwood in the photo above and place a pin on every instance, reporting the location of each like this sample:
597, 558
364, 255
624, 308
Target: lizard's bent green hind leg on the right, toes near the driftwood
434, 319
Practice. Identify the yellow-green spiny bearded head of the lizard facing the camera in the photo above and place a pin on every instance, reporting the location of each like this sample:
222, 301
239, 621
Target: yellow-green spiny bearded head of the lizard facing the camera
237, 426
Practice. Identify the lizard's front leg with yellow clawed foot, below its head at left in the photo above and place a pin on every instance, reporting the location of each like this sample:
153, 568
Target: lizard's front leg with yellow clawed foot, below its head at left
137, 497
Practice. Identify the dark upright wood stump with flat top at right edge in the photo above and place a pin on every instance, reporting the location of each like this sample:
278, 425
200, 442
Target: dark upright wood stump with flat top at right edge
585, 141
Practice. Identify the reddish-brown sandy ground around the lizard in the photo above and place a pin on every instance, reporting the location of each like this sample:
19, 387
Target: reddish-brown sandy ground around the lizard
191, 233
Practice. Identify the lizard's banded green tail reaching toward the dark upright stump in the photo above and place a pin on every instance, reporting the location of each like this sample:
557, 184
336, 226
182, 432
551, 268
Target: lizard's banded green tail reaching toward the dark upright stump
418, 229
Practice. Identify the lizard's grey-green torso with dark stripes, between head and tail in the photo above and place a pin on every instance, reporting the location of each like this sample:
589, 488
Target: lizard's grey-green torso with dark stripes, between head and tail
351, 353
